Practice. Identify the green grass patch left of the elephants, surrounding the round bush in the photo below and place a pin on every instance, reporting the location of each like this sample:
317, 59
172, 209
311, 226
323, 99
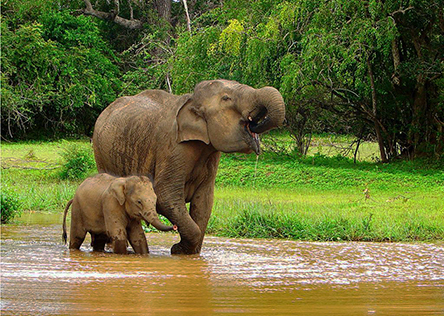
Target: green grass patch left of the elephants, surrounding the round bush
32, 170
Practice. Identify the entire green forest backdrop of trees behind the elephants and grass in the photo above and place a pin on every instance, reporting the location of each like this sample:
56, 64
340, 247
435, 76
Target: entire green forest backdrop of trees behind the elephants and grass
372, 69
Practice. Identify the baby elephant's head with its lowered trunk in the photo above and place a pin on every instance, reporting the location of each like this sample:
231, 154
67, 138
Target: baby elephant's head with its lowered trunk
136, 194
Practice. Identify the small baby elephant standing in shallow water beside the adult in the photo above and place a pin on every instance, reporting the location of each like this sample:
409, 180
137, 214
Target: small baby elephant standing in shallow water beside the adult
110, 209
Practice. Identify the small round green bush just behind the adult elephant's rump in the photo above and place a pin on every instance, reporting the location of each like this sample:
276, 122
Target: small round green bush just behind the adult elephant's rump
78, 162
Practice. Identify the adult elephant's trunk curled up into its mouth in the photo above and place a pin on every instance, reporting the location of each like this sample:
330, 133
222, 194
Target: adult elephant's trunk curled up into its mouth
269, 111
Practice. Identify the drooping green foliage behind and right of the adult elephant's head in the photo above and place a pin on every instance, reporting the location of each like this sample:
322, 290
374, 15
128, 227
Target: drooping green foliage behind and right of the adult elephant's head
320, 55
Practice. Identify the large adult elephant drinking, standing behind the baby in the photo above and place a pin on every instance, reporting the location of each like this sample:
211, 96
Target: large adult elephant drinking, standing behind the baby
178, 139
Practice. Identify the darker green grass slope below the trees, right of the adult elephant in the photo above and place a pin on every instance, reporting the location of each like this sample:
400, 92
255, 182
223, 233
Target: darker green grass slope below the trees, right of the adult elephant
327, 173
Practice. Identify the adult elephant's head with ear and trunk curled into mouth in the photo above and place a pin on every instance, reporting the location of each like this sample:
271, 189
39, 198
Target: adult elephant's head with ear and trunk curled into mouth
229, 115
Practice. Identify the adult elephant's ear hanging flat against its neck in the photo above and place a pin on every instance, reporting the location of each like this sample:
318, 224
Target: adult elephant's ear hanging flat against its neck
190, 122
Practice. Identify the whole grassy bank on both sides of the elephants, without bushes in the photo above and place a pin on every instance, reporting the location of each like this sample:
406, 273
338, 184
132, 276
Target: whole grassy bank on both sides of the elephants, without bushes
314, 198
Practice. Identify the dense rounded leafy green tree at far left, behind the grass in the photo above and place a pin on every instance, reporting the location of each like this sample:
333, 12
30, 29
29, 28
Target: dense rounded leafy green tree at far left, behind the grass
57, 73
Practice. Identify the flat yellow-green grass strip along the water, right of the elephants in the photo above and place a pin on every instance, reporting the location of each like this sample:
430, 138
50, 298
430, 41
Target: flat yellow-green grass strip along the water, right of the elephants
308, 214
